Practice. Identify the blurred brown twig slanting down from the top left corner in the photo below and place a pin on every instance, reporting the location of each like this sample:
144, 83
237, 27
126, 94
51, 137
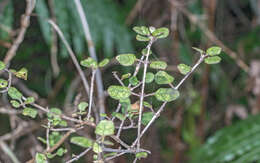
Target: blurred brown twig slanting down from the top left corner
25, 22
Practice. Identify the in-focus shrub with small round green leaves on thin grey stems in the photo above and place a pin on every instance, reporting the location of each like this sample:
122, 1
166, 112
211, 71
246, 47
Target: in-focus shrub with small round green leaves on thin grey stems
125, 116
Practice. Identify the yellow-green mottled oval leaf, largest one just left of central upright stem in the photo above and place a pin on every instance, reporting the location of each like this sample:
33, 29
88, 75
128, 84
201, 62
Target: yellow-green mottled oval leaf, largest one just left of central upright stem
119, 92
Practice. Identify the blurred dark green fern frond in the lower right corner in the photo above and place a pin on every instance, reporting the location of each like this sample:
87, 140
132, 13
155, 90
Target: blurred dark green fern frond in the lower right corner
238, 143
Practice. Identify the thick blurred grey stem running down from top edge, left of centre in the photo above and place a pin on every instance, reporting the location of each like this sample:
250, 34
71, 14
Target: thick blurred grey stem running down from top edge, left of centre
92, 52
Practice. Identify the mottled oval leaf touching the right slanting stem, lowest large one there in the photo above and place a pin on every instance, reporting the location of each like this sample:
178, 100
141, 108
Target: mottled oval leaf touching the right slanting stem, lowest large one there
167, 94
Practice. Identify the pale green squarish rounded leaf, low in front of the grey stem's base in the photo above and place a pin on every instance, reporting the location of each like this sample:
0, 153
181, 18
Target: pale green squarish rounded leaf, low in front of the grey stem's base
105, 128
